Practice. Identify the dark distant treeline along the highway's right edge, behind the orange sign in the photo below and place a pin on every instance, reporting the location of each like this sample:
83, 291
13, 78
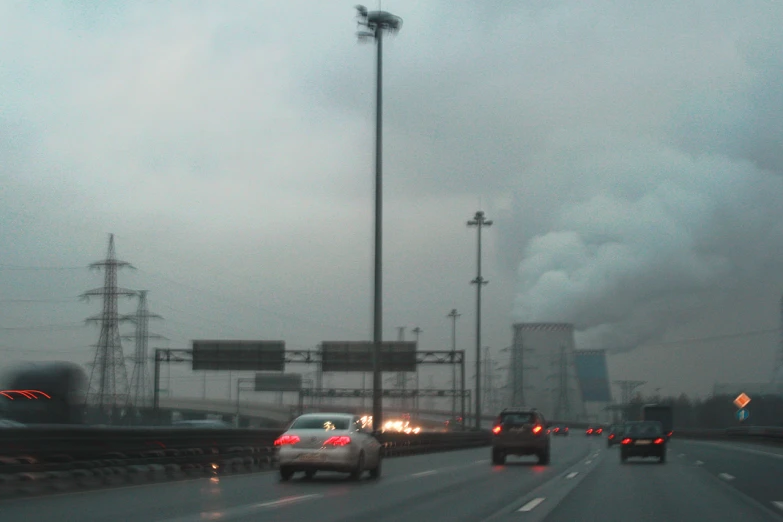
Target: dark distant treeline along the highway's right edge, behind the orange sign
715, 412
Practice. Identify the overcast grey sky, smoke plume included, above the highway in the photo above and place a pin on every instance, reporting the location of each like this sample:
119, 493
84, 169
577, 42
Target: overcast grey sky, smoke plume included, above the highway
629, 154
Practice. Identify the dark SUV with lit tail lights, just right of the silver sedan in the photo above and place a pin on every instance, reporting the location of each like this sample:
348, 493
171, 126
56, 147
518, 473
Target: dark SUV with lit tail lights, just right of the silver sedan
520, 432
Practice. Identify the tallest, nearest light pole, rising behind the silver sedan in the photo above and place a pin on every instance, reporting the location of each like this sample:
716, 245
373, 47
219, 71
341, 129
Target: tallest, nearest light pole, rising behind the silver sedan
372, 26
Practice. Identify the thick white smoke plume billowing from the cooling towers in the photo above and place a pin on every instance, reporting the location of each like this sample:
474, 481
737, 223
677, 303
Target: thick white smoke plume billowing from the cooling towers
635, 258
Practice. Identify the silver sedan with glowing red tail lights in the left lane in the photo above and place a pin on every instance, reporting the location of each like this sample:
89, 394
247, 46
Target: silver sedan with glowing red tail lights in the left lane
329, 442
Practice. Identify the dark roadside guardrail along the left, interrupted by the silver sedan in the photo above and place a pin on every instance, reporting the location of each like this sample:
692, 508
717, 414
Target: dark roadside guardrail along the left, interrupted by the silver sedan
40, 459
